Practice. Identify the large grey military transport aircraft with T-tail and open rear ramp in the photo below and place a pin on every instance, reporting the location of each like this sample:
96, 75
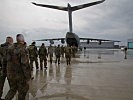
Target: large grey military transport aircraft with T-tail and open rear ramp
71, 38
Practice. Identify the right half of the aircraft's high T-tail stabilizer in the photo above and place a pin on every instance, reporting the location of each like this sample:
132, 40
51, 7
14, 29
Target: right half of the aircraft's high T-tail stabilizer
74, 8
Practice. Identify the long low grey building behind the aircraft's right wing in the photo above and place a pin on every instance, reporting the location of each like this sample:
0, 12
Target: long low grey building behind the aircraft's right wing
108, 45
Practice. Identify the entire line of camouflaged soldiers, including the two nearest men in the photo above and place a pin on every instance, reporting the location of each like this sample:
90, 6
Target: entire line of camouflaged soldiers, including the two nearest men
16, 63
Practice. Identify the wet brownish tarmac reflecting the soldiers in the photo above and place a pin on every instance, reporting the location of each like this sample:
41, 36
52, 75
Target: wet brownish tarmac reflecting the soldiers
94, 74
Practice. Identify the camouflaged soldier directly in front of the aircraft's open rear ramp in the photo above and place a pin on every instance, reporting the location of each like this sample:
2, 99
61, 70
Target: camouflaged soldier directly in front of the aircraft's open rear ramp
68, 52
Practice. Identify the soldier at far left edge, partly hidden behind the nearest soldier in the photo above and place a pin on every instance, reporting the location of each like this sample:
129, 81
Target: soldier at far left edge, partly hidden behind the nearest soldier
3, 53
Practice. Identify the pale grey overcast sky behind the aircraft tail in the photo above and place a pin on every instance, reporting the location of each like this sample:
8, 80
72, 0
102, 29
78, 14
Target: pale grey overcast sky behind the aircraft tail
112, 19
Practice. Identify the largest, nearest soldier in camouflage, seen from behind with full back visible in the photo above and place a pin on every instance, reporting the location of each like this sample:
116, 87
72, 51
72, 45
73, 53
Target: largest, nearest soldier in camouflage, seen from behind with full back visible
18, 69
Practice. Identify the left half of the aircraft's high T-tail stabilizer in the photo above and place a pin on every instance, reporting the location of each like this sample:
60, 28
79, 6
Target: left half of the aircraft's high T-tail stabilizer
51, 6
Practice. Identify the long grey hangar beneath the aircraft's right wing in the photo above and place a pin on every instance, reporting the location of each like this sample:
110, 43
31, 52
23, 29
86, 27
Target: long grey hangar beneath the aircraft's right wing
103, 44
